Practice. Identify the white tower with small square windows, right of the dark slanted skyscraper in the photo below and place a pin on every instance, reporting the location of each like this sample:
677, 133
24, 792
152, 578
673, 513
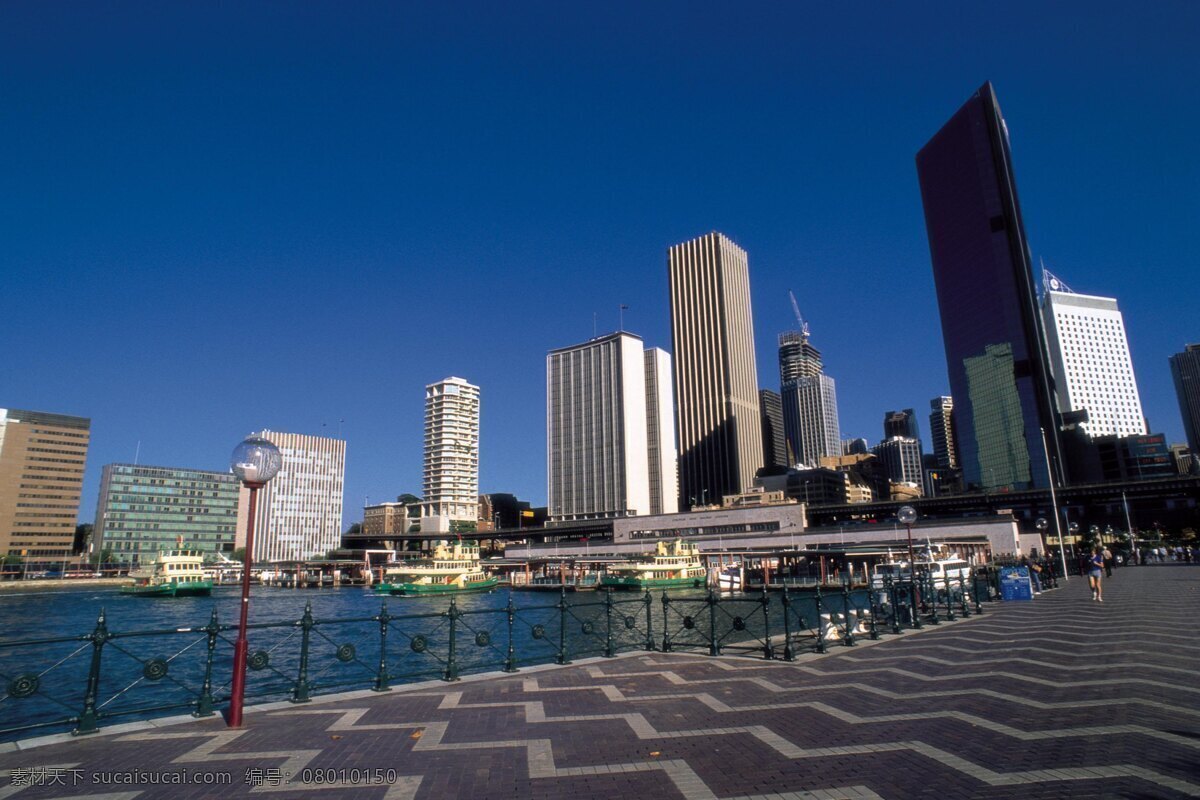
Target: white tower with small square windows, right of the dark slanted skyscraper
1090, 357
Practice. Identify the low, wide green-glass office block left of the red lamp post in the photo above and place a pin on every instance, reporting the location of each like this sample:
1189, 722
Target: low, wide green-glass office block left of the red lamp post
145, 510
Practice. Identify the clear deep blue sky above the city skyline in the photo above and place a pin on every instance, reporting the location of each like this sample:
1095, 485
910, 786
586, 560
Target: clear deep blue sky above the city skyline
224, 218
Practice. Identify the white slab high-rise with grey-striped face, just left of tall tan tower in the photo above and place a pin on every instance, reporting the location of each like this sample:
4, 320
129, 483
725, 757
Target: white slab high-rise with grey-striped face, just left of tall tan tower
603, 400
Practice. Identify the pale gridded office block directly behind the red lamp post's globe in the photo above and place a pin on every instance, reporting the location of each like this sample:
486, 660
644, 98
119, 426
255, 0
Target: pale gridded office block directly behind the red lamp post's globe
299, 514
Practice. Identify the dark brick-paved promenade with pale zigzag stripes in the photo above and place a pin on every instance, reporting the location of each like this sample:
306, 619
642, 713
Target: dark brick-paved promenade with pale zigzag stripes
1060, 697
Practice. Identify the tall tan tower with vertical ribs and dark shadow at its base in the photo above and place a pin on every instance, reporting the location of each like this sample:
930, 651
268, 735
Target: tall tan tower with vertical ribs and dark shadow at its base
718, 425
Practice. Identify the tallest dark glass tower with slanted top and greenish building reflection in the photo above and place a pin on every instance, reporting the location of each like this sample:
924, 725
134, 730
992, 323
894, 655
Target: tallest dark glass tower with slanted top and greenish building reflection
995, 347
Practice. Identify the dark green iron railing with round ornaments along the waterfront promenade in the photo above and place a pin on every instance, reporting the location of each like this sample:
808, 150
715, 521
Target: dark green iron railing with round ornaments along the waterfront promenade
81, 683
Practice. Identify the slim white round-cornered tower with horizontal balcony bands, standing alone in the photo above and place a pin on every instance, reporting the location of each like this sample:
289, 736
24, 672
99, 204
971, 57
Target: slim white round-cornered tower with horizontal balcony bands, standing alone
452, 455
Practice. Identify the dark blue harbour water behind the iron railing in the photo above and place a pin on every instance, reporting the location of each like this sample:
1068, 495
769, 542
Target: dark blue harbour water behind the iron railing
157, 657
